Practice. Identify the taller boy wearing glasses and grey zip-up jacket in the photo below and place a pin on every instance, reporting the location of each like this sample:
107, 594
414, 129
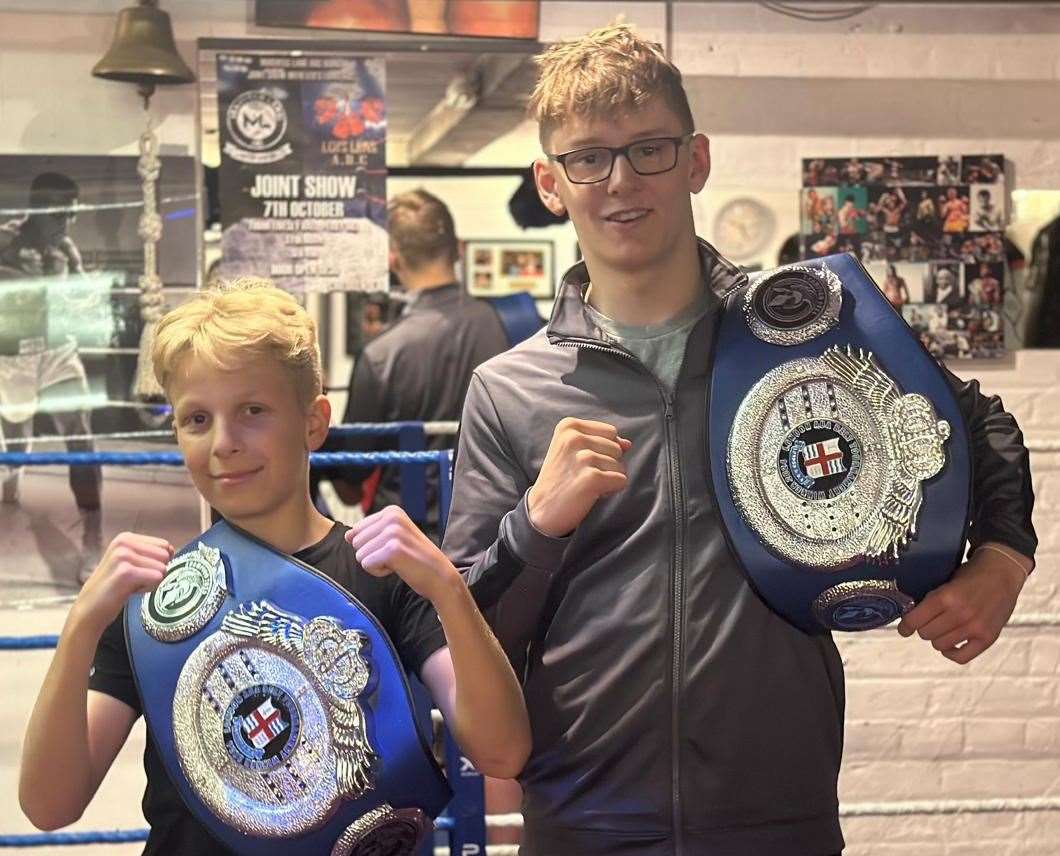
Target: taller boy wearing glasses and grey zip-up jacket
673, 711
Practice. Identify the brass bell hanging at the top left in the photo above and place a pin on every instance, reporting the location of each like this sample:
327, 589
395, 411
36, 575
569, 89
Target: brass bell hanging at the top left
144, 51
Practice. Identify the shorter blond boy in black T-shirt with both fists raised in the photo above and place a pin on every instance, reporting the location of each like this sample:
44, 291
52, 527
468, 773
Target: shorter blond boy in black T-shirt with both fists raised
241, 368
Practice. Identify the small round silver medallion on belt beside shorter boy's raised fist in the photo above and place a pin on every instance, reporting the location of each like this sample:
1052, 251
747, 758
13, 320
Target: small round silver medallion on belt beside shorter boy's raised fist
189, 596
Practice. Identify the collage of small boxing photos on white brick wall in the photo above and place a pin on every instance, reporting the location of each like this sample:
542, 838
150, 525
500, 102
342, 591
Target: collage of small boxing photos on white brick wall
930, 233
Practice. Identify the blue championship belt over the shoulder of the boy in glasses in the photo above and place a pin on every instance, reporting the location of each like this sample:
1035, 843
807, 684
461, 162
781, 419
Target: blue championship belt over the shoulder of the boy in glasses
839, 454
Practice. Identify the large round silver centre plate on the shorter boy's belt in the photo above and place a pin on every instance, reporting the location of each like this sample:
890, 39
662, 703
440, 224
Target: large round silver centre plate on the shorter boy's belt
301, 680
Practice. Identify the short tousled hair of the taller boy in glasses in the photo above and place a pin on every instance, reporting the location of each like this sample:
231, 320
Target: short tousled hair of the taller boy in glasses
609, 69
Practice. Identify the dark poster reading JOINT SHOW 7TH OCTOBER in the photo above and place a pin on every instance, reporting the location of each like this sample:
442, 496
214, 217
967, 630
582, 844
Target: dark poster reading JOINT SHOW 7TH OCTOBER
304, 170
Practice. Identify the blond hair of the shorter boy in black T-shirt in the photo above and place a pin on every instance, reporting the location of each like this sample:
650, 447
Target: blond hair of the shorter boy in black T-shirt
237, 320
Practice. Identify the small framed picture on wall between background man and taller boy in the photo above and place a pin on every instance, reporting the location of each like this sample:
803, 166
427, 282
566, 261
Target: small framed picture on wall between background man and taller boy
494, 269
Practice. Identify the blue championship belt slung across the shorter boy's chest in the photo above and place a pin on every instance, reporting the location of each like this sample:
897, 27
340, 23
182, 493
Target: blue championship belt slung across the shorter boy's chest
279, 706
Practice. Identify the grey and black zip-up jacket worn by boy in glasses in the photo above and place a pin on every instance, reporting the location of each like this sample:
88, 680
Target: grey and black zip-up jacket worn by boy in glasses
673, 711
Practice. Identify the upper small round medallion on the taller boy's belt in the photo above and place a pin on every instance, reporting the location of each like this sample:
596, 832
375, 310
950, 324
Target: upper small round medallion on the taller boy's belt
793, 305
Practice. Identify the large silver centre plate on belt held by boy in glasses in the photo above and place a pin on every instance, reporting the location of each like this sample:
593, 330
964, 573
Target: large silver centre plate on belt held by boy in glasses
827, 459
